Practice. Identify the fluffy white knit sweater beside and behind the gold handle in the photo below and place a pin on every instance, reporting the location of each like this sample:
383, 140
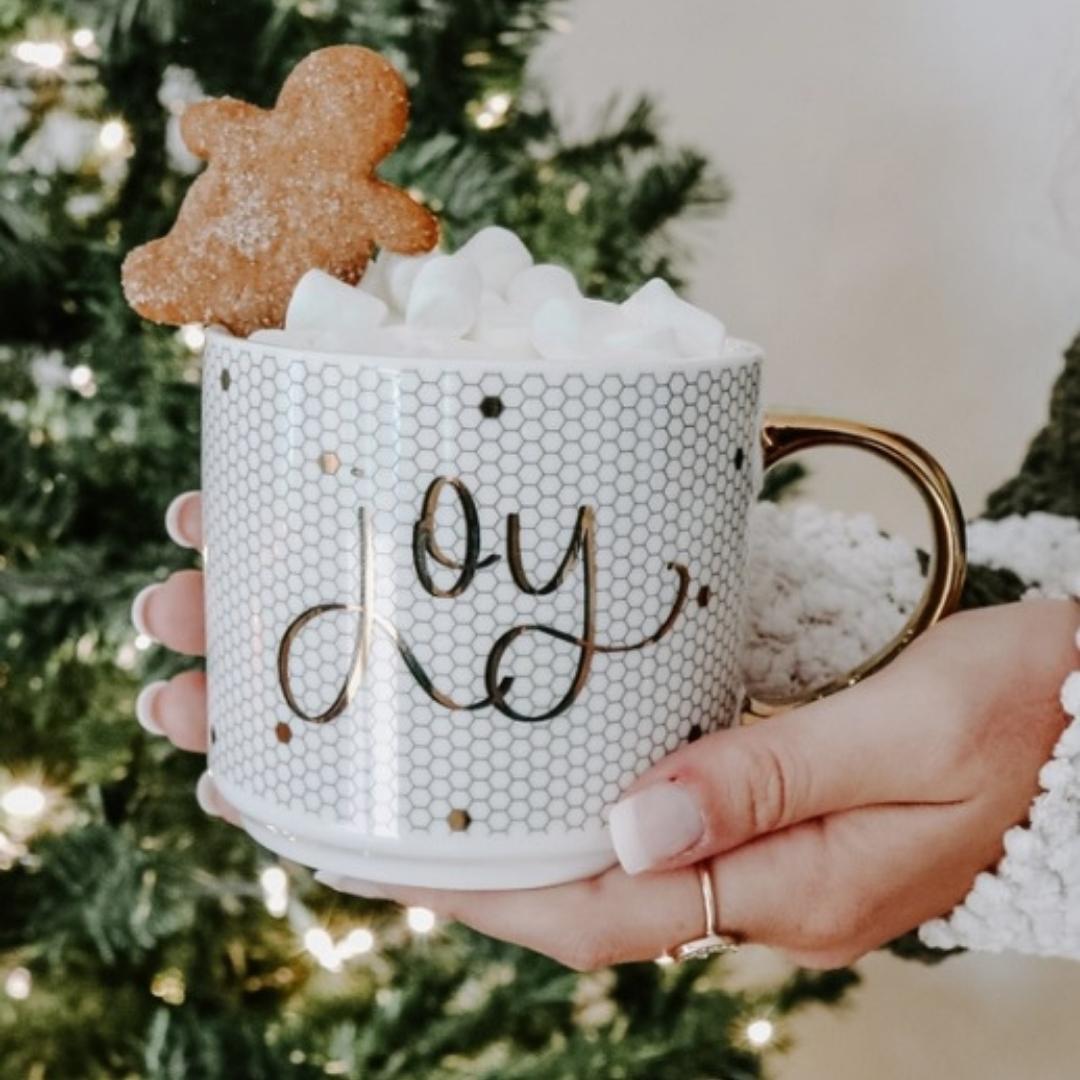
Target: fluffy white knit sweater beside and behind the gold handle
828, 590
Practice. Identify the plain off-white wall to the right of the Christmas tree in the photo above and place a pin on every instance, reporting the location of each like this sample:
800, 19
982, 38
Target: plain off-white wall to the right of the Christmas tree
906, 244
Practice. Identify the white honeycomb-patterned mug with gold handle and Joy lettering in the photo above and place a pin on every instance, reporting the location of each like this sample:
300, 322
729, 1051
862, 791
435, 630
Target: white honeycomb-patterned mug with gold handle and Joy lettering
455, 607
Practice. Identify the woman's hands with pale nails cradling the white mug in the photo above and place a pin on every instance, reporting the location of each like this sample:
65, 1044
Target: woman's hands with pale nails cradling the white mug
828, 831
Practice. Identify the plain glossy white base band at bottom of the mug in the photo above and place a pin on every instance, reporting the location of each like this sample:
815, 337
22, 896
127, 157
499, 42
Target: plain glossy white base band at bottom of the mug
456, 862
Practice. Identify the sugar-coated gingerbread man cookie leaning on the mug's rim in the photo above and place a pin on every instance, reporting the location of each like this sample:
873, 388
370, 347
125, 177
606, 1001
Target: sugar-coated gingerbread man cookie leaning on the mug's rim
287, 191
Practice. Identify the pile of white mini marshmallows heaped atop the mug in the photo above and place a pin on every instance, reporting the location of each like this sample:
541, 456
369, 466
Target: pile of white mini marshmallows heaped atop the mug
490, 301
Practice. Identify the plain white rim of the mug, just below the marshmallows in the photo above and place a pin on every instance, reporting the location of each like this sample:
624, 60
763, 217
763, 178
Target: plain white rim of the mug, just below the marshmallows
738, 353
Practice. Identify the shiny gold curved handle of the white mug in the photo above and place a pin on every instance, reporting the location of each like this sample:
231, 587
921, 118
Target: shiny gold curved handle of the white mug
784, 435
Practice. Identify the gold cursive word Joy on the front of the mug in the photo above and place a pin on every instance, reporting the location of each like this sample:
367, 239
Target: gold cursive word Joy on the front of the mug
426, 551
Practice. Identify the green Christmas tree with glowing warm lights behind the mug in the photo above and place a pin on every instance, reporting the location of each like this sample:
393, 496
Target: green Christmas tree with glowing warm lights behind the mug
139, 938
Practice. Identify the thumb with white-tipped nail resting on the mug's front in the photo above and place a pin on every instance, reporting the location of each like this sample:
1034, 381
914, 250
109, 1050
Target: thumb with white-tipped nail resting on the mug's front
861, 747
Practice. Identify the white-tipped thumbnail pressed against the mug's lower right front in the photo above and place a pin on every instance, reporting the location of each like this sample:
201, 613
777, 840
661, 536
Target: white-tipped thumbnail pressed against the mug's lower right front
655, 825
